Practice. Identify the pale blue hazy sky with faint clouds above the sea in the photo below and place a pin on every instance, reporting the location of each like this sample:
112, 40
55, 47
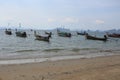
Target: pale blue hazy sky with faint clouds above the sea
50, 14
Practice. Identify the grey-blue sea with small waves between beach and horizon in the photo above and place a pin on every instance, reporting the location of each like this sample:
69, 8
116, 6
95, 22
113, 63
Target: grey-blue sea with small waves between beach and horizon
17, 50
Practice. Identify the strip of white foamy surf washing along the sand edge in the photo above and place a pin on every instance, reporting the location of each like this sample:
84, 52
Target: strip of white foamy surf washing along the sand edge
57, 58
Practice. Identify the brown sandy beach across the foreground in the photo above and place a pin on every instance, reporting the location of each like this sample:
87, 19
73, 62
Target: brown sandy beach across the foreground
100, 68
